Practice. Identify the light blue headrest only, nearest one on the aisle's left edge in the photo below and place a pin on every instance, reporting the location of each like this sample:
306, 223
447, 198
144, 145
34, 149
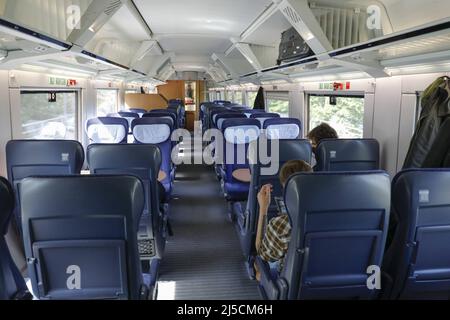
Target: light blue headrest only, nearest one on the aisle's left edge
152, 130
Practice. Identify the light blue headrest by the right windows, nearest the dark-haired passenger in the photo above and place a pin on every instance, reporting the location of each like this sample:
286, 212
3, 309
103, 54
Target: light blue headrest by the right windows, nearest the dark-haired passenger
282, 128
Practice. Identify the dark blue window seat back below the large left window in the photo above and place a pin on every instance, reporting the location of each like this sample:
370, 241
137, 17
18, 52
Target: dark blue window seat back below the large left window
26, 158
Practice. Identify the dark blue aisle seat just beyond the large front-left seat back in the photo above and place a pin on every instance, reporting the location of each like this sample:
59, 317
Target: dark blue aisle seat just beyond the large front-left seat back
142, 161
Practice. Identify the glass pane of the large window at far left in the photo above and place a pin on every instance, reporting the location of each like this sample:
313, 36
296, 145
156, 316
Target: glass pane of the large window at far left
49, 115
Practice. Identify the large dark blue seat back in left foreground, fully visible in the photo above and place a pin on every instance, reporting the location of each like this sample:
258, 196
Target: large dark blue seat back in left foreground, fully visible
81, 238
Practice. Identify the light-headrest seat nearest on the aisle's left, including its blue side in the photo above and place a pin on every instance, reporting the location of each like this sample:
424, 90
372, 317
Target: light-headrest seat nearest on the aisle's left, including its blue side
154, 125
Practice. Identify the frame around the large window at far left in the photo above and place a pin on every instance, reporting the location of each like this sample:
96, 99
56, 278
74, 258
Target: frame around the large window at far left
78, 106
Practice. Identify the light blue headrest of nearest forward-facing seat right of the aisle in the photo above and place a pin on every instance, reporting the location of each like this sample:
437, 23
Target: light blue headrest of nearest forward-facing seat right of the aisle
241, 131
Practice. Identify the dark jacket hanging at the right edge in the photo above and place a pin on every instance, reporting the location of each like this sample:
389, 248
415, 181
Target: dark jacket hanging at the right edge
435, 110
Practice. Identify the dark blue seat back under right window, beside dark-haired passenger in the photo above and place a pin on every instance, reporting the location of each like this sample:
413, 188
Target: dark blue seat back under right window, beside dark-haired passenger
348, 155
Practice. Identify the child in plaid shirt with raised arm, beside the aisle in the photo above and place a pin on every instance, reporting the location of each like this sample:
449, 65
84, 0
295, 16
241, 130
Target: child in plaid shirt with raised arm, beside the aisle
273, 247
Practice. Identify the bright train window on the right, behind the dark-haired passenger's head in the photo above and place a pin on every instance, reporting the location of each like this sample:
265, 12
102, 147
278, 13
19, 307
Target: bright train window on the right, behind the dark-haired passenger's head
344, 113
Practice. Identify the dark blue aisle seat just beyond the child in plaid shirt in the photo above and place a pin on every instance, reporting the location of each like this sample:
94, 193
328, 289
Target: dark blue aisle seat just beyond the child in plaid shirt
288, 150
